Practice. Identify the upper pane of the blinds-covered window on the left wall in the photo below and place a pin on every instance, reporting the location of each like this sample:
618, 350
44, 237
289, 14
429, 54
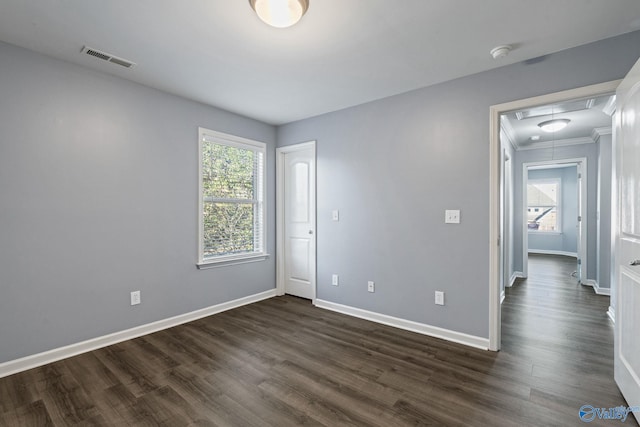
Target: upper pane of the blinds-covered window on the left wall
228, 172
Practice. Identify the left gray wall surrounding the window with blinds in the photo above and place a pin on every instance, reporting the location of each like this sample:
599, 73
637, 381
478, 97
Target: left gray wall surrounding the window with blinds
98, 179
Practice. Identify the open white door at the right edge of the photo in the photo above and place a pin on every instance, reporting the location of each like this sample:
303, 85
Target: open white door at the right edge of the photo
627, 140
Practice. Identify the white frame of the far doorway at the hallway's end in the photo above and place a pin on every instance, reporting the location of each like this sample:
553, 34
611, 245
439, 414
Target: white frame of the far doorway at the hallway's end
582, 244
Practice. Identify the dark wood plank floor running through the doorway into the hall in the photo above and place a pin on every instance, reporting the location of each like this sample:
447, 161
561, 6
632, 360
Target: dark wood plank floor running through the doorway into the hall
283, 362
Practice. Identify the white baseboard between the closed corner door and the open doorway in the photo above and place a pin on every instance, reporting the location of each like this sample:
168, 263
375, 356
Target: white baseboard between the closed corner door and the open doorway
421, 328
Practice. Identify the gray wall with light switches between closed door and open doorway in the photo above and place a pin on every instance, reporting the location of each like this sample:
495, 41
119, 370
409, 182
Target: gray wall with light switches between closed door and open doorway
393, 166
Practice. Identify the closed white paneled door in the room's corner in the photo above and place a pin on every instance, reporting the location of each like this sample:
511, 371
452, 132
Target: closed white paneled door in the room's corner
298, 202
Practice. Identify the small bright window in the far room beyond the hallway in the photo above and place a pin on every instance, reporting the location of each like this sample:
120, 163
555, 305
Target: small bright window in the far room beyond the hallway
543, 205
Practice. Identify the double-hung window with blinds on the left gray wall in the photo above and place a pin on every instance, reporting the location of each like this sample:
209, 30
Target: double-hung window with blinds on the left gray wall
232, 189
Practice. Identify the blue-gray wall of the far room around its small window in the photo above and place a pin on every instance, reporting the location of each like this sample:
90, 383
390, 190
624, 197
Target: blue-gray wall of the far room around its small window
567, 239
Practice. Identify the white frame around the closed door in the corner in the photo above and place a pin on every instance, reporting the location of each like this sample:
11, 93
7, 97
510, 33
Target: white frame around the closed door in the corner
280, 220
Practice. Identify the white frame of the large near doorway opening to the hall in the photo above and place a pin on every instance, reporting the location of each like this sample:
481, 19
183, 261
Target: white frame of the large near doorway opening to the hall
495, 326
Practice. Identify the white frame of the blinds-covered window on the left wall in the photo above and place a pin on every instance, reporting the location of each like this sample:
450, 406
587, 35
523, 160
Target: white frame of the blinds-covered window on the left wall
211, 136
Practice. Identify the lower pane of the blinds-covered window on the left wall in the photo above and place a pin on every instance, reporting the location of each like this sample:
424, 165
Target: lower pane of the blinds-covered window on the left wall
228, 229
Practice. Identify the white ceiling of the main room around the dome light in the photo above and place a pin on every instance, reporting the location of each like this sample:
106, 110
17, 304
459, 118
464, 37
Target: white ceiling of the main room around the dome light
342, 53
